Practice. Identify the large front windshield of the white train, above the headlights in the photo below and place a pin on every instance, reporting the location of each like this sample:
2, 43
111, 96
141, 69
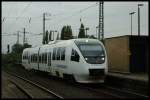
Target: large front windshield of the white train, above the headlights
93, 53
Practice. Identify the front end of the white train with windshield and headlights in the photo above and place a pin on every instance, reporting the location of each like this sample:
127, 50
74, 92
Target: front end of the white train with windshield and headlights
93, 62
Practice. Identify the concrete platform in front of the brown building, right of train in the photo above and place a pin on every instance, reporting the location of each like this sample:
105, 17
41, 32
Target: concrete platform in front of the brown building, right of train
136, 82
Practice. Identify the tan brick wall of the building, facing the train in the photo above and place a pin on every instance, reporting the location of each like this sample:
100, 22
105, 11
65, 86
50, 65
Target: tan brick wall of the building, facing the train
118, 54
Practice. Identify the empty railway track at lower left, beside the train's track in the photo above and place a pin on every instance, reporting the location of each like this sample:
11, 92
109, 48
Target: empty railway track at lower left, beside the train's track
31, 89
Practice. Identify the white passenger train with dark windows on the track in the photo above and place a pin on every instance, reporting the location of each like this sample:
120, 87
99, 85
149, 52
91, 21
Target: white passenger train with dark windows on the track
84, 60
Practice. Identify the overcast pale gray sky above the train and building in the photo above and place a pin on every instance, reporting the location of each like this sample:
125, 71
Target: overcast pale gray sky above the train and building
16, 15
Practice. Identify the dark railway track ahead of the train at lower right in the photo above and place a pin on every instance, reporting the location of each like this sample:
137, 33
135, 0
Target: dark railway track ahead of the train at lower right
112, 91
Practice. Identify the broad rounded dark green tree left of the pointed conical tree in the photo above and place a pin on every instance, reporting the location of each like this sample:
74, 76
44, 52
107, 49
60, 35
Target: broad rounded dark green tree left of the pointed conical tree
66, 33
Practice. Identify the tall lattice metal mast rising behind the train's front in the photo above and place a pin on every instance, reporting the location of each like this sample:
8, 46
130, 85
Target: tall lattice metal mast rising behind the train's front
101, 21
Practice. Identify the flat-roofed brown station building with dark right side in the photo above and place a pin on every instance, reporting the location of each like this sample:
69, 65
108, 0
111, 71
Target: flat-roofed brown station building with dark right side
127, 54
